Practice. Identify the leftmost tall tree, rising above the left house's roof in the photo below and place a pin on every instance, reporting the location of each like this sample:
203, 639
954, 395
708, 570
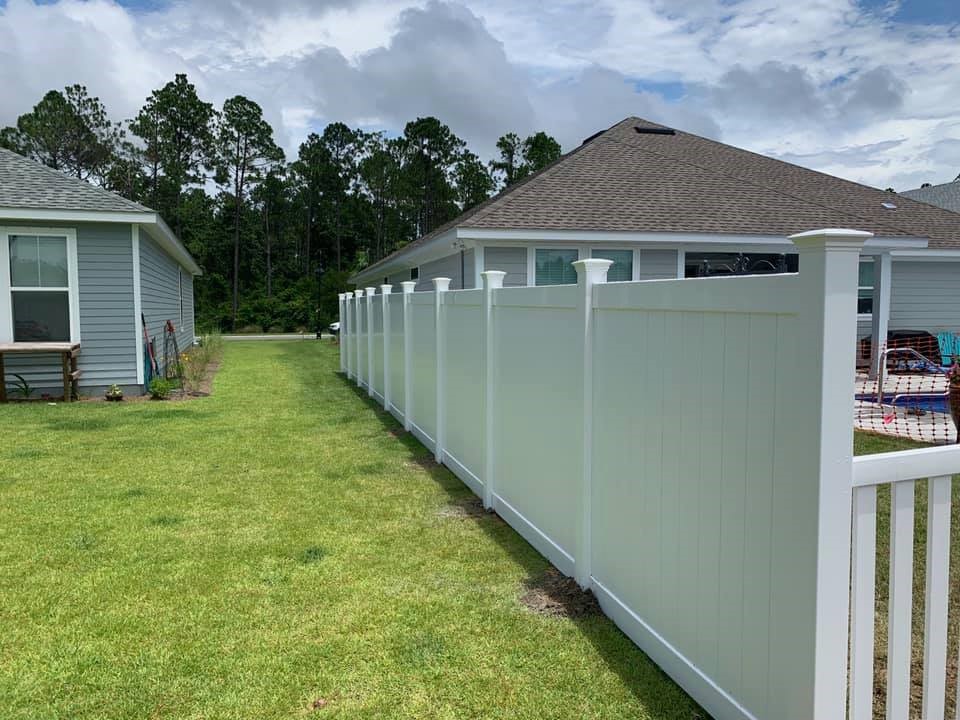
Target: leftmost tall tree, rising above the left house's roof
68, 131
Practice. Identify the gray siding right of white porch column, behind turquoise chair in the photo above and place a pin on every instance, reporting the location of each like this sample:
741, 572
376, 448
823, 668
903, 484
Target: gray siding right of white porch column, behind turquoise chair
925, 296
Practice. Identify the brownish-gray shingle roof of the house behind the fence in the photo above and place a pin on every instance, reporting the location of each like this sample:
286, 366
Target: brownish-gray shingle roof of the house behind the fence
623, 180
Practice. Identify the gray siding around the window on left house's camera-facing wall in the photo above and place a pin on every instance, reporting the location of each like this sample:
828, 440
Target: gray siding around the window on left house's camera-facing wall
108, 350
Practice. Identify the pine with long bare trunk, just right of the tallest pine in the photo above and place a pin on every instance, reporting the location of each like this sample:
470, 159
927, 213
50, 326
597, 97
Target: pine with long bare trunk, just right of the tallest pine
246, 150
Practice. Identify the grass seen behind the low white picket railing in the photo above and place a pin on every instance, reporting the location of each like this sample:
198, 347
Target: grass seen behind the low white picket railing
865, 444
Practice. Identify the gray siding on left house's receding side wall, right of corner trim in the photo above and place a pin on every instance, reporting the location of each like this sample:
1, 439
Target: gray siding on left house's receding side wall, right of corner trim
160, 296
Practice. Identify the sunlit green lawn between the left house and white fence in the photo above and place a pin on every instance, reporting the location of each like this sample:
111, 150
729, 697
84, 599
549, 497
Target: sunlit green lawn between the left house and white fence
243, 555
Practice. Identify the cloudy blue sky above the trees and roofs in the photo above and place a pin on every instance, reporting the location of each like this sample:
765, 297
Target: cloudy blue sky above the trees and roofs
865, 89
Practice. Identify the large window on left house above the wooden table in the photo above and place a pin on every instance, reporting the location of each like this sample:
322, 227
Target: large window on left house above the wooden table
39, 288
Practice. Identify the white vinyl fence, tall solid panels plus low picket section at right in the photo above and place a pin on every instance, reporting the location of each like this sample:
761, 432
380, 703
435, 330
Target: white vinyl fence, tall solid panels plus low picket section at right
680, 447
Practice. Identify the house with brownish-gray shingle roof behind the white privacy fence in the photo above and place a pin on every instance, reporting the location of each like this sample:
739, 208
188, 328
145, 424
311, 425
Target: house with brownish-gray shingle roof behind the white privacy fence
662, 203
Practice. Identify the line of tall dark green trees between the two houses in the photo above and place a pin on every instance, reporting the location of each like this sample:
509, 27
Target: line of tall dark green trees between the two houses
276, 238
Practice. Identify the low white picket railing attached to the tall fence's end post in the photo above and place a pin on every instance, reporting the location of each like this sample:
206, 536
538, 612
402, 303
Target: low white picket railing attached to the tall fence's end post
901, 471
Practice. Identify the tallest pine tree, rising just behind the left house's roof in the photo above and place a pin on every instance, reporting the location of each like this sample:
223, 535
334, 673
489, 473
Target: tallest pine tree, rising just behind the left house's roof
176, 128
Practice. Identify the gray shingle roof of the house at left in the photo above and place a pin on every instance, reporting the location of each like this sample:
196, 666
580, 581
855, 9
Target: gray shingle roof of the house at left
30, 185
